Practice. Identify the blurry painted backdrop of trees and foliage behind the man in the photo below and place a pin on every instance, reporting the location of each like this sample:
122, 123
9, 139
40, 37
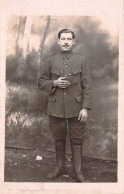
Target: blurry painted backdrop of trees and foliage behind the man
29, 41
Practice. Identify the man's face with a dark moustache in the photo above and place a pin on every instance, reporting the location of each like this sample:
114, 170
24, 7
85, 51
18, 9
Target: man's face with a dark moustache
66, 41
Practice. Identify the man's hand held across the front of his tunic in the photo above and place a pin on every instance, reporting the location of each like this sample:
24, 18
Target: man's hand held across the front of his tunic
61, 82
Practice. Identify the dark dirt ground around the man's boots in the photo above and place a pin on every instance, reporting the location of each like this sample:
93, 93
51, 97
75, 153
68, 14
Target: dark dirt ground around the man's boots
21, 166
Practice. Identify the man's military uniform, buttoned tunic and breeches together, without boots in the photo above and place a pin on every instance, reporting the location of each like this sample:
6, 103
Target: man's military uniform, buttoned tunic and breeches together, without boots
64, 105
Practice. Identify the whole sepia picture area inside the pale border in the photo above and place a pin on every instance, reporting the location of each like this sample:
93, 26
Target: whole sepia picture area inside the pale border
61, 99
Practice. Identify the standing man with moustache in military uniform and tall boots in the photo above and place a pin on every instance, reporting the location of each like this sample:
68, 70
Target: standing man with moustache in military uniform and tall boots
66, 79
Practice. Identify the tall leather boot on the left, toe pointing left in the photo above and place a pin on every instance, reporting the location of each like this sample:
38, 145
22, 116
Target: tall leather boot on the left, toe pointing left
60, 159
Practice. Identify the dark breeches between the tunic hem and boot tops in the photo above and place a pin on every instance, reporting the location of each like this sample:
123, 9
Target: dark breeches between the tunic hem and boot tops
59, 127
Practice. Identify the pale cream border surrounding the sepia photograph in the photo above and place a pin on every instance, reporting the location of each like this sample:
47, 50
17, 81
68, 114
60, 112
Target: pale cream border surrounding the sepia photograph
62, 7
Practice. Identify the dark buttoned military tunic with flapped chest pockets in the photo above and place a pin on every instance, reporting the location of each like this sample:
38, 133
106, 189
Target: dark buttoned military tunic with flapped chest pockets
66, 103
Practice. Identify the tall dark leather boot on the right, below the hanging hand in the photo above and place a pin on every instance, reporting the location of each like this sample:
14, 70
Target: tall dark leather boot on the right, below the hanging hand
77, 162
